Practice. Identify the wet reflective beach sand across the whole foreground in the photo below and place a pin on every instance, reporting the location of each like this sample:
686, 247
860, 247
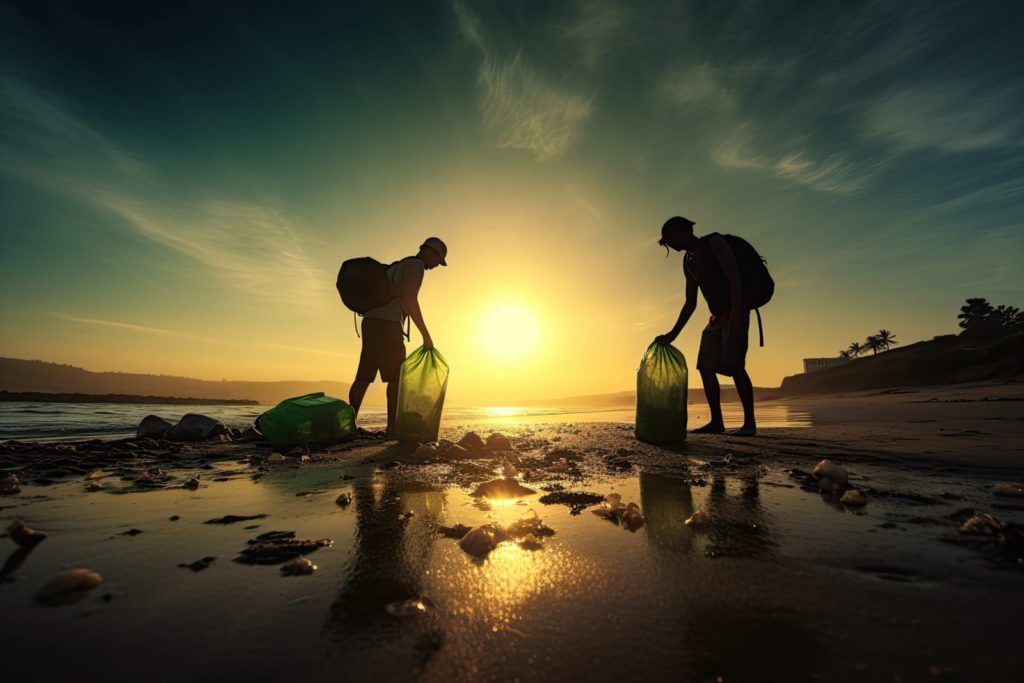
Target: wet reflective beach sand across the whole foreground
784, 583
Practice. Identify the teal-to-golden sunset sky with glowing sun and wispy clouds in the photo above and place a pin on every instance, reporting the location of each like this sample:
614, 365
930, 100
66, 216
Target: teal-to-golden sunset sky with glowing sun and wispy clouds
181, 182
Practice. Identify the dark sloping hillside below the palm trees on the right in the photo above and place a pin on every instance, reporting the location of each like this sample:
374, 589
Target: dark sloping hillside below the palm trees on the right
947, 360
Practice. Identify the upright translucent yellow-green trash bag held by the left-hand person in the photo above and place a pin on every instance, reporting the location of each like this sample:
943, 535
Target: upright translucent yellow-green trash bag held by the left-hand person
421, 397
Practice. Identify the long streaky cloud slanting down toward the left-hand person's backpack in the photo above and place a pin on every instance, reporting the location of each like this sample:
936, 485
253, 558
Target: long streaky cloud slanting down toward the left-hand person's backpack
246, 245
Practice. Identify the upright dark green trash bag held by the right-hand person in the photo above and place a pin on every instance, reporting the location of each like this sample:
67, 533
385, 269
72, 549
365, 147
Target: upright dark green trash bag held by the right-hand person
662, 396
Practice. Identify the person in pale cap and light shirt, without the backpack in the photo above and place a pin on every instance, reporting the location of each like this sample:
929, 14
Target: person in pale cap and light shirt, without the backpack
383, 347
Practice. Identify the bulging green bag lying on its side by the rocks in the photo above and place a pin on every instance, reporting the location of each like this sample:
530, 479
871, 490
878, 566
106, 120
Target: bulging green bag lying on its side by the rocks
311, 419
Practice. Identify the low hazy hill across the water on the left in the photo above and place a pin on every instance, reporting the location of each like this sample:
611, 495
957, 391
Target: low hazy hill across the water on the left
39, 376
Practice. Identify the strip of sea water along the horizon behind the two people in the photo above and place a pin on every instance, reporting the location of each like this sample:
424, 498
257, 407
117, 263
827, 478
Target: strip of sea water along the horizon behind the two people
33, 421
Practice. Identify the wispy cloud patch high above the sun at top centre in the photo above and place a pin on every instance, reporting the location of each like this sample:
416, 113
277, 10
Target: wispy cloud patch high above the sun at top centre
521, 105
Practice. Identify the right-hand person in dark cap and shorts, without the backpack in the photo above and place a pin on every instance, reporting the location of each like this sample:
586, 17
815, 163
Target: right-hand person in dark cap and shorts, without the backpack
711, 267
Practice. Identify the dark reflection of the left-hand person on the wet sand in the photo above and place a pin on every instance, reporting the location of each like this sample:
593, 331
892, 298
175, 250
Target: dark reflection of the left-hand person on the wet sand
391, 558
